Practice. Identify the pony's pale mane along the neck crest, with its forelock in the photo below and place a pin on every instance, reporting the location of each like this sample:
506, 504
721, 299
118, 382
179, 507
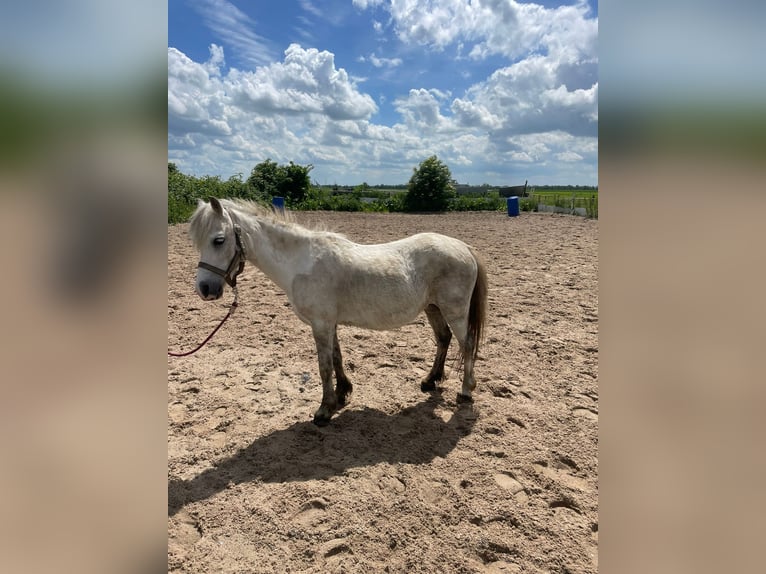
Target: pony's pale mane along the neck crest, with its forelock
204, 218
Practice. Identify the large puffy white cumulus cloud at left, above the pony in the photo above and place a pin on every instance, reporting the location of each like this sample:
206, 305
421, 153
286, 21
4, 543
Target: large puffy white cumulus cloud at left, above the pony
281, 111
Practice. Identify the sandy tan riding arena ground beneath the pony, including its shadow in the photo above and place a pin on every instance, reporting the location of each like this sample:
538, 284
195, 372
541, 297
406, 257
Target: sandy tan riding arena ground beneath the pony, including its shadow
400, 481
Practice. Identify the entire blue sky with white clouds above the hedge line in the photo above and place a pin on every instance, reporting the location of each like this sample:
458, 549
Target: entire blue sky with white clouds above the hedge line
364, 90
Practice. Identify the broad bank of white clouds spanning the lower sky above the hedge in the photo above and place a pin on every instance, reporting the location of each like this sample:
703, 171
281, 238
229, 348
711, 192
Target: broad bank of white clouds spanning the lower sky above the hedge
514, 125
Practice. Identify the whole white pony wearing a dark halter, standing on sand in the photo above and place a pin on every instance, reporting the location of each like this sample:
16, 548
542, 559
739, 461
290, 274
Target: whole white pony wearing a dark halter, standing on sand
333, 281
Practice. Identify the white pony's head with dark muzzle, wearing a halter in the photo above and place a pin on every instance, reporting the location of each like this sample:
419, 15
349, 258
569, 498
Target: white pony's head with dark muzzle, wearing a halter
222, 255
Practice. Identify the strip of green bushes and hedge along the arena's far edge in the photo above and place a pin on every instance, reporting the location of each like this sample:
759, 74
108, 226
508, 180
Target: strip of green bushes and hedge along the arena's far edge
431, 188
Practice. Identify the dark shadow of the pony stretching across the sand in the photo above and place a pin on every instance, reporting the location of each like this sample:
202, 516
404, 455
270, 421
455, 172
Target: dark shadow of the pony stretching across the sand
355, 438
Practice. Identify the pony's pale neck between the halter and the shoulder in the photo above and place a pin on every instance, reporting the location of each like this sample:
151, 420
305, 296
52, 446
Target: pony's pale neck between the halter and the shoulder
280, 251
